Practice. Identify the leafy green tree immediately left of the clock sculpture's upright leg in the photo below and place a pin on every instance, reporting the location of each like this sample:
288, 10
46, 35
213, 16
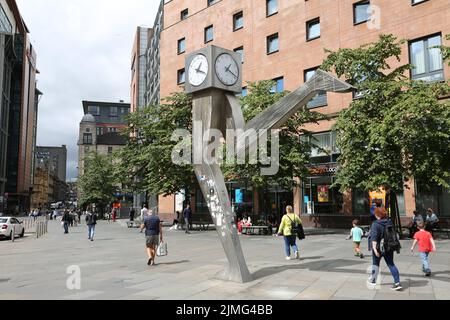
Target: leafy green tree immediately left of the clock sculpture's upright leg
145, 163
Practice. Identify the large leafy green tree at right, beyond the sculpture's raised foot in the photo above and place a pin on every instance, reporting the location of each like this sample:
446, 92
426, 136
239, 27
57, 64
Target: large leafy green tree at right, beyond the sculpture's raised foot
398, 128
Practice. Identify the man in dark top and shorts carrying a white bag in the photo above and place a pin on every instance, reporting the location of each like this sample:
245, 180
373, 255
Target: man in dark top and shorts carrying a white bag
153, 235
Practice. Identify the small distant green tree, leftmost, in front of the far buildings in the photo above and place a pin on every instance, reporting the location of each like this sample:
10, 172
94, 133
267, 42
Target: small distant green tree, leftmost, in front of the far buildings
97, 184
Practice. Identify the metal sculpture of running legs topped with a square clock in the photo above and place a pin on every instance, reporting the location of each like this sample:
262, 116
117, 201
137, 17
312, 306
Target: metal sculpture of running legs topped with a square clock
214, 75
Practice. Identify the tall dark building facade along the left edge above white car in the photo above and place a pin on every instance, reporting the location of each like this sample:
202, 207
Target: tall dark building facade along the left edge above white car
19, 109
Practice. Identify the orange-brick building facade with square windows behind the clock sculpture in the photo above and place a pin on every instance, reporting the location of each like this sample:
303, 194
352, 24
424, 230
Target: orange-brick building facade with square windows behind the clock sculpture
285, 41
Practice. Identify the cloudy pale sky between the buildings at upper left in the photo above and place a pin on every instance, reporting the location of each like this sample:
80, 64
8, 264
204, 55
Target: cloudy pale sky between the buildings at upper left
83, 53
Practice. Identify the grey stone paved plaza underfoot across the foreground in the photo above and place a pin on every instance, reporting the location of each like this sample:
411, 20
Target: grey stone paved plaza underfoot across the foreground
114, 266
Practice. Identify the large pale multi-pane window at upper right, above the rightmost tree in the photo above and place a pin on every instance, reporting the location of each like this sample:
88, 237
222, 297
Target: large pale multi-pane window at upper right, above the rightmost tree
426, 59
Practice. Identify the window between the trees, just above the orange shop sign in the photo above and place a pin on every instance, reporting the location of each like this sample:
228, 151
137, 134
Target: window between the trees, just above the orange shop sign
324, 149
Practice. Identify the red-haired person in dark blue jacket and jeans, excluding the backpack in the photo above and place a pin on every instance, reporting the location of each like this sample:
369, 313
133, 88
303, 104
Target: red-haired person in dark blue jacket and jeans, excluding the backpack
377, 232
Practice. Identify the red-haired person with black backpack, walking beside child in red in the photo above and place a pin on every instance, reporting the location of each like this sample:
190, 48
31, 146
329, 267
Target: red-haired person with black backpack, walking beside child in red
384, 243
